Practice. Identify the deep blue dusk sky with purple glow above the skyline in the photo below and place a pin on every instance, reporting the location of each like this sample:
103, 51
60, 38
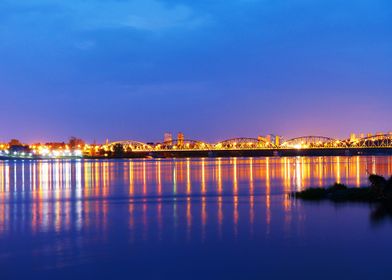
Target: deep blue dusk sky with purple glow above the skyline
213, 69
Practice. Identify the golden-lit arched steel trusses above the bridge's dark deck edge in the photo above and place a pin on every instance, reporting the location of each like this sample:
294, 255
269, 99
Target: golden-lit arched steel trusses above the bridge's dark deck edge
248, 144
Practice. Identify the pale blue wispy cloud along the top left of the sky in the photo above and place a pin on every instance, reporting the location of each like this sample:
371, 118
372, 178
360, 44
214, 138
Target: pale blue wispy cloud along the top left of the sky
149, 15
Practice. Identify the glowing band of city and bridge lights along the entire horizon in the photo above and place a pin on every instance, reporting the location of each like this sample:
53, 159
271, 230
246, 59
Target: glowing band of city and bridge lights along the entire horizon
175, 147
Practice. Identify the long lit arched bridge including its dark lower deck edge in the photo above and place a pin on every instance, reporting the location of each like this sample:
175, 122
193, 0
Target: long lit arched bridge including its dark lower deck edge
305, 145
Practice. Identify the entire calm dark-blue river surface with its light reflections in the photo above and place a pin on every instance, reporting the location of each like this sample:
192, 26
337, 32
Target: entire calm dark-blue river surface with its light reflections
188, 219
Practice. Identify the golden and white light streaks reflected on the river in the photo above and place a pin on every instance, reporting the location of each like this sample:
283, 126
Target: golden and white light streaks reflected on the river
83, 195
